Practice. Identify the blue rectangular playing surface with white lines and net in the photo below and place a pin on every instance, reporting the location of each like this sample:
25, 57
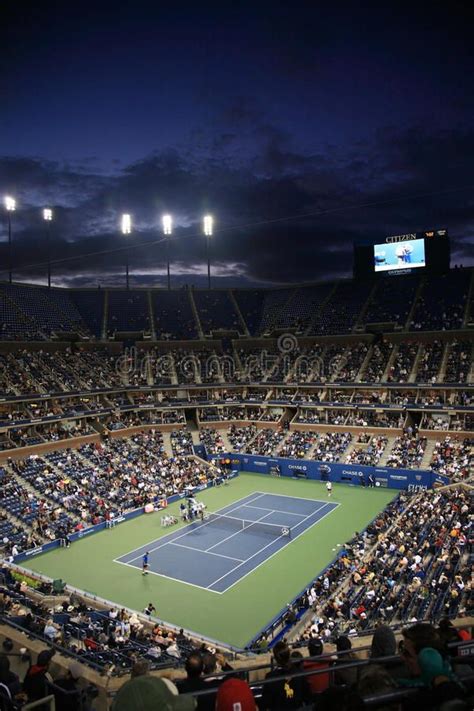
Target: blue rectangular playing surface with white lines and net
216, 553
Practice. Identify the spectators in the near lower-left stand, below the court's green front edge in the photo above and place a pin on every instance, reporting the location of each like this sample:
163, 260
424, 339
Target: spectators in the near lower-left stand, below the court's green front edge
110, 640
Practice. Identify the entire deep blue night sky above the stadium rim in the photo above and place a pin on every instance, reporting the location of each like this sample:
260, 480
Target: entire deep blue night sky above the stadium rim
300, 126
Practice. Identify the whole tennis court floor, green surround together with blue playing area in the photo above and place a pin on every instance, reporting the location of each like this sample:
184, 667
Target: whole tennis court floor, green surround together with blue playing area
253, 600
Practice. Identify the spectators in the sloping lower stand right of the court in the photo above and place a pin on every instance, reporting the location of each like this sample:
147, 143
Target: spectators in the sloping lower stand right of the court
410, 564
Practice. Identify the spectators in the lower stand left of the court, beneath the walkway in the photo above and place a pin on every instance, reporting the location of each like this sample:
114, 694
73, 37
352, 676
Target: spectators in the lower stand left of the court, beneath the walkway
70, 490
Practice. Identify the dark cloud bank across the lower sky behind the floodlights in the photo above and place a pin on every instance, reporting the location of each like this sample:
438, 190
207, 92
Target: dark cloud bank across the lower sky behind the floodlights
250, 175
